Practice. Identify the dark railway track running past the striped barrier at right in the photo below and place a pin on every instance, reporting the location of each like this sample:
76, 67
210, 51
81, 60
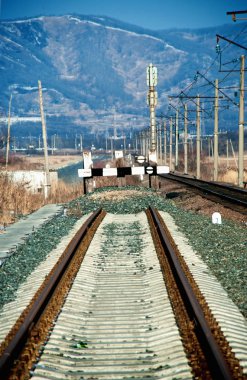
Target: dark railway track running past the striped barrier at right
233, 197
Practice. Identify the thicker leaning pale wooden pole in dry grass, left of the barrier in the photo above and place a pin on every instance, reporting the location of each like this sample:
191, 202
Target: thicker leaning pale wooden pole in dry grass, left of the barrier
47, 173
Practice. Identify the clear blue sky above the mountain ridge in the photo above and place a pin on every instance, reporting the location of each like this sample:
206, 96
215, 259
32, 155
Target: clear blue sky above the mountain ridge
151, 14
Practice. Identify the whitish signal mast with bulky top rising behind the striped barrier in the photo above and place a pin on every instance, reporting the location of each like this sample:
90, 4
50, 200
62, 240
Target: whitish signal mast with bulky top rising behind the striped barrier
152, 101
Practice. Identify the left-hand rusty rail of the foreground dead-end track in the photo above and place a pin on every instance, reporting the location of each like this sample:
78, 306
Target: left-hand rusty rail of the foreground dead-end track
15, 346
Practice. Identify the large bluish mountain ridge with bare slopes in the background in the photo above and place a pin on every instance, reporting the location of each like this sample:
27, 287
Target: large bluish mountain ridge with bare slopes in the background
93, 69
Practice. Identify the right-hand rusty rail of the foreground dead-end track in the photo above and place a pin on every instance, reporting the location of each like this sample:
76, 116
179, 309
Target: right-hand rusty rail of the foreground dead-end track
212, 352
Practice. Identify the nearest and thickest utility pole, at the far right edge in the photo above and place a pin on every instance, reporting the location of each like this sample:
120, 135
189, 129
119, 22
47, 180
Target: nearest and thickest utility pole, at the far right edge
241, 126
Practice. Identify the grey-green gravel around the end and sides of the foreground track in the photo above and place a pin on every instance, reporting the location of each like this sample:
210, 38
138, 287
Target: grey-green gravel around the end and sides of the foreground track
222, 246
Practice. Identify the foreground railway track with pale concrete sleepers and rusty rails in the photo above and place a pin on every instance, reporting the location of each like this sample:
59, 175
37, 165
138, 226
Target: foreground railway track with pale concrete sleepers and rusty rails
113, 317
